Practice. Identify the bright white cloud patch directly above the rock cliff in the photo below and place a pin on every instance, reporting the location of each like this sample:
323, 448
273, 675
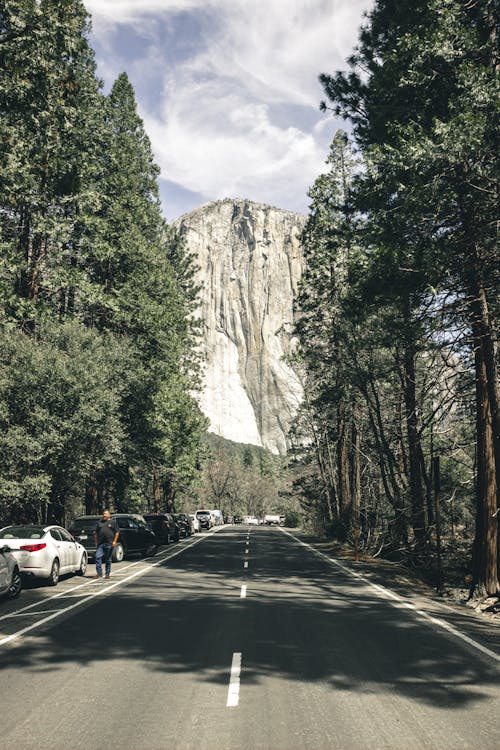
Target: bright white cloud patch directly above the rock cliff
218, 144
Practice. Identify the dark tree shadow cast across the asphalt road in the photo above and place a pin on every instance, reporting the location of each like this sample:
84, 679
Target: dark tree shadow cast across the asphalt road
302, 620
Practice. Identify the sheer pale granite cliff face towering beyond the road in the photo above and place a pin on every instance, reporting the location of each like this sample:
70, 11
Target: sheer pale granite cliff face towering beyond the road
250, 263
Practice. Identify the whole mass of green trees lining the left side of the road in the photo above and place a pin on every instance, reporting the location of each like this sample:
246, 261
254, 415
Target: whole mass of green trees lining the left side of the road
101, 289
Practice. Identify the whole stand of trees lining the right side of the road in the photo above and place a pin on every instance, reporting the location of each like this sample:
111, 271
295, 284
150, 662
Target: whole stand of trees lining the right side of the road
416, 288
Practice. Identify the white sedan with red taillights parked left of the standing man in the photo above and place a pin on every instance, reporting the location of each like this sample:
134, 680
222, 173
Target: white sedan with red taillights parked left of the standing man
44, 551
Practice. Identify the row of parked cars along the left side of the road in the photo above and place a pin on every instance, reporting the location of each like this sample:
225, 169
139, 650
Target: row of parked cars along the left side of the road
49, 551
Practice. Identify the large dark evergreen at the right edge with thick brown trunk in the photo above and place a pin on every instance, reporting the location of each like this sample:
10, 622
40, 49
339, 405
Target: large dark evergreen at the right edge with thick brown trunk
423, 99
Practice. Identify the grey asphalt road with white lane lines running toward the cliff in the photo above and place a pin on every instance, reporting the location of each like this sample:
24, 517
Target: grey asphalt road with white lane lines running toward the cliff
242, 639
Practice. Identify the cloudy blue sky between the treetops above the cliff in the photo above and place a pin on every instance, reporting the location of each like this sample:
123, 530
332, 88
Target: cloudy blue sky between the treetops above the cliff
228, 90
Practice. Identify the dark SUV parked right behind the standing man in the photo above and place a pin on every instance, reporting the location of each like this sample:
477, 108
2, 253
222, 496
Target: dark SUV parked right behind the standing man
135, 536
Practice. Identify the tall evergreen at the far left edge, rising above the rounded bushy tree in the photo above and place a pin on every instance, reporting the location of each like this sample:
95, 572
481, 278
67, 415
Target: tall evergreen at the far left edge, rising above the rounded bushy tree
49, 100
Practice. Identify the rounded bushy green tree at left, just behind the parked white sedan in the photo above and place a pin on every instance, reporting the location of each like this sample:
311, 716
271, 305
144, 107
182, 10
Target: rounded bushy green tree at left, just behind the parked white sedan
59, 418
